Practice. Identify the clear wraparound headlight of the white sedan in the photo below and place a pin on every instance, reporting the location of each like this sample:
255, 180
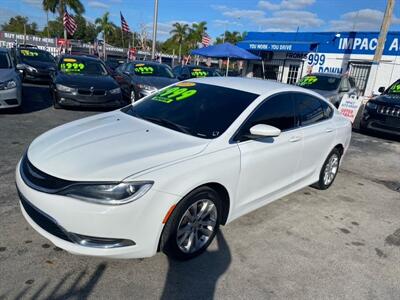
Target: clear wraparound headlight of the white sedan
108, 193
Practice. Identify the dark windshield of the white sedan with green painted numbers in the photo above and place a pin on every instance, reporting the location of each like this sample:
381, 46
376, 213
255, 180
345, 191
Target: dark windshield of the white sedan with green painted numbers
197, 109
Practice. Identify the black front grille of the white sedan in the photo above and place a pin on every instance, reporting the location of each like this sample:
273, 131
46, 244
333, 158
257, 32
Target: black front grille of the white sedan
39, 180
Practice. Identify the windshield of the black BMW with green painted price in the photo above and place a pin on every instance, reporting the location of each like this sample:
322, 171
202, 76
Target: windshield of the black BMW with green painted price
81, 66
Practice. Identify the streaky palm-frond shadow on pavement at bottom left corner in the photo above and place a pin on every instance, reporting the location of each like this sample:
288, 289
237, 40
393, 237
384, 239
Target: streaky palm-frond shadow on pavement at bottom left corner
78, 288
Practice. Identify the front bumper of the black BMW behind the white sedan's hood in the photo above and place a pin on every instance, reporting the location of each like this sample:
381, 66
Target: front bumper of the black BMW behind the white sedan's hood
77, 100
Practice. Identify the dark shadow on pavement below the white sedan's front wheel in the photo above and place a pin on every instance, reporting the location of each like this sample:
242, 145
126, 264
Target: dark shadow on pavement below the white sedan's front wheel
197, 278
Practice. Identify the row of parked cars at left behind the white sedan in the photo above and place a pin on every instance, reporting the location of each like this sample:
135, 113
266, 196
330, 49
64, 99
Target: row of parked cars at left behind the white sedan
84, 80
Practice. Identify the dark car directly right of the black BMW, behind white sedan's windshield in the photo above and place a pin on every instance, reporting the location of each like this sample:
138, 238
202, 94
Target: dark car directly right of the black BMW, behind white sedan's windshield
142, 78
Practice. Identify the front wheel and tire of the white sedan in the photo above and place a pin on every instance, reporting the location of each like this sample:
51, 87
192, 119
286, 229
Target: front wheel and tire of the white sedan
193, 225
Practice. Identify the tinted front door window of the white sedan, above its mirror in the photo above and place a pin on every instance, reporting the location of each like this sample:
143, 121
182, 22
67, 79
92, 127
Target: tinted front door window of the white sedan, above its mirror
277, 111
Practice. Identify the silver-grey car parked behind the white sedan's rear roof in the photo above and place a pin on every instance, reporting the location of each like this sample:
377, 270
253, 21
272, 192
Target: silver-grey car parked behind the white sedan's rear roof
331, 86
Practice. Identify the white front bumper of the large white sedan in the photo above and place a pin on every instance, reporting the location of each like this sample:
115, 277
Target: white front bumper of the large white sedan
139, 221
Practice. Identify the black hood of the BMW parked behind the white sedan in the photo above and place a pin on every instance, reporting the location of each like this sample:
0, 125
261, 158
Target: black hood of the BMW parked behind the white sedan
86, 81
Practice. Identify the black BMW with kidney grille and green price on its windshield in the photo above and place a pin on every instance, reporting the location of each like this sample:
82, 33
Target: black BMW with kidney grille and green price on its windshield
84, 82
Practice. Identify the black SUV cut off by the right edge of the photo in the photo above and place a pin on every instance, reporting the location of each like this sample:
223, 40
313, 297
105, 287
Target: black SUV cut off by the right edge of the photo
382, 113
